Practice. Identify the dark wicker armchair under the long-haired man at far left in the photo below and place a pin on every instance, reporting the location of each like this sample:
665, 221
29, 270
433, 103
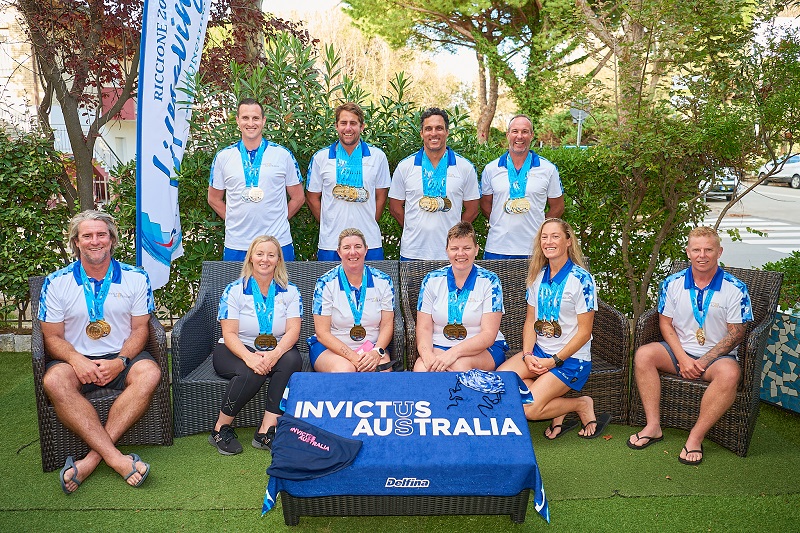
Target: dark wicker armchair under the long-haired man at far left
57, 442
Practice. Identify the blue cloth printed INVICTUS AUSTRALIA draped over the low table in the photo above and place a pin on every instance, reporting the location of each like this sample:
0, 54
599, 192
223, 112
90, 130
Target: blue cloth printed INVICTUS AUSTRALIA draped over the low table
422, 434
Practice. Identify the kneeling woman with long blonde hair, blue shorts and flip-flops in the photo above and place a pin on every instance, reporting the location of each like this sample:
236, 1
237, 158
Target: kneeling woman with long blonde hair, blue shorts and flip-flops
556, 336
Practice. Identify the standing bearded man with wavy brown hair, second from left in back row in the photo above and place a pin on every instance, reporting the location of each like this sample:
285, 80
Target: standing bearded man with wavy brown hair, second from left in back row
348, 183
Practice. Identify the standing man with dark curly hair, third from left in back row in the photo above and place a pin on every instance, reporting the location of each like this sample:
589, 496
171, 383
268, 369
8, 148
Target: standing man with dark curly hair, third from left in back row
432, 190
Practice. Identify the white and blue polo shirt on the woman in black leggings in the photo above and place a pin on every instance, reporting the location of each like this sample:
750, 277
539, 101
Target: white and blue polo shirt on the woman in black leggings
236, 303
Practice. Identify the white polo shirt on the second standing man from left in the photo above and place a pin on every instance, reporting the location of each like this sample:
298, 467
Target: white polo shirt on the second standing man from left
336, 214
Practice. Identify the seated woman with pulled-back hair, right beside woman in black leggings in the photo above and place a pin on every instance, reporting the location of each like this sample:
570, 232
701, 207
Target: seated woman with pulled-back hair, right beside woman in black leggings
353, 312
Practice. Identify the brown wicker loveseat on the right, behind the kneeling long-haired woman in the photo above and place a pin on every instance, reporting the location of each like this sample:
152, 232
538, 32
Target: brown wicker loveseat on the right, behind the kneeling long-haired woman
608, 383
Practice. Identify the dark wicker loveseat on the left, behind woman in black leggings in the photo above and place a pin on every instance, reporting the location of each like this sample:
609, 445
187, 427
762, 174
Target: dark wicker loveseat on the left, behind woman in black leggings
196, 389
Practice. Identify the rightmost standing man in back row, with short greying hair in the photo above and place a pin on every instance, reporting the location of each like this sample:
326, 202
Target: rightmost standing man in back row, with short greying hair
516, 187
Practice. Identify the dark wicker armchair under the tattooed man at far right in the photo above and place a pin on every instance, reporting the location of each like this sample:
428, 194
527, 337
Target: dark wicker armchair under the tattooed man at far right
680, 398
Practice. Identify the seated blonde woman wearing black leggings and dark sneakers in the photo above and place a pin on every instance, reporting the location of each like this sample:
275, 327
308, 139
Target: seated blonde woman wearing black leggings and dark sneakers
259, 314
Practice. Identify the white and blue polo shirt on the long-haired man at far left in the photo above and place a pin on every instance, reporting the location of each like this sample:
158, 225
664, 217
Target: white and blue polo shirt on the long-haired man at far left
62, 300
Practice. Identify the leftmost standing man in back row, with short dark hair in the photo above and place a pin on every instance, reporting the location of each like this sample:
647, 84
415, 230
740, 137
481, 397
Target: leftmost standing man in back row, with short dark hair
249, 182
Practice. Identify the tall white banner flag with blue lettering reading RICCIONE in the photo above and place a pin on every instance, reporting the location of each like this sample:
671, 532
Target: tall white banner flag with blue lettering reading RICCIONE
173, 32
